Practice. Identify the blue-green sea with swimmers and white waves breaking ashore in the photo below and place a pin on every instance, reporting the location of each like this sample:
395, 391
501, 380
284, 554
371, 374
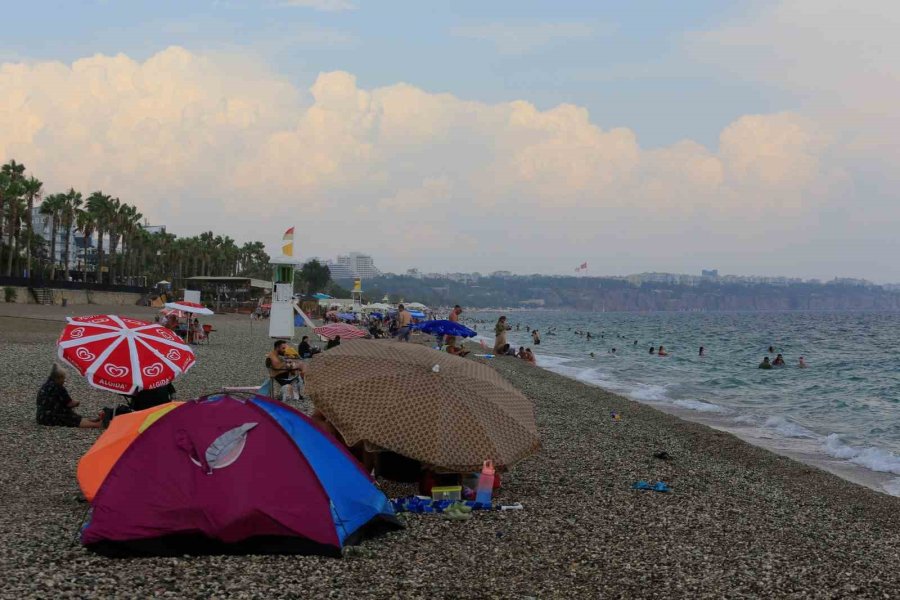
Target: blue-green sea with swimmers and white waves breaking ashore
841, 413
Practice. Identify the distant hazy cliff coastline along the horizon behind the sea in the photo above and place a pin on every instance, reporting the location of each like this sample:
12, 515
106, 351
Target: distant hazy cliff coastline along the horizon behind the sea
608, 294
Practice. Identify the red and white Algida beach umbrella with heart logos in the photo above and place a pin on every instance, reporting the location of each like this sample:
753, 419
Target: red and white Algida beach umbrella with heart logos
123, 355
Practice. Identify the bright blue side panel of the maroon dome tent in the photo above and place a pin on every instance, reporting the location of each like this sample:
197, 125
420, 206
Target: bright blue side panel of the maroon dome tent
355, 499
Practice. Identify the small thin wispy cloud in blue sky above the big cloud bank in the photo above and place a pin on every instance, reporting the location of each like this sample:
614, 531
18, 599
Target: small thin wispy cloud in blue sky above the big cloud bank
523, 38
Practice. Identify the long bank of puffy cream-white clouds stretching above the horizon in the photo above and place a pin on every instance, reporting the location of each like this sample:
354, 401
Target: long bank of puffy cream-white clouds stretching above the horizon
202, 141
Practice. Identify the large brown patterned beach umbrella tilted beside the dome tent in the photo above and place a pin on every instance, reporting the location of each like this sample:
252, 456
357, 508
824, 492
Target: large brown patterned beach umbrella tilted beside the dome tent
434, 407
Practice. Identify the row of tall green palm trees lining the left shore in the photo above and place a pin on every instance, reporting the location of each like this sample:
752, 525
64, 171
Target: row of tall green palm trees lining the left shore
125, 250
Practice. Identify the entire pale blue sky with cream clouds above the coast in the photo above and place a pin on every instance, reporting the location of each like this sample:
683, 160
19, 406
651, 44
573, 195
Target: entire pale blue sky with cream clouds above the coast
752, 137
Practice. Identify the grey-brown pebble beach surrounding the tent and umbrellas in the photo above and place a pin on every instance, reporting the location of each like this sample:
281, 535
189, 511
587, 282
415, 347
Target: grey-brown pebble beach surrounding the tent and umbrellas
740, 521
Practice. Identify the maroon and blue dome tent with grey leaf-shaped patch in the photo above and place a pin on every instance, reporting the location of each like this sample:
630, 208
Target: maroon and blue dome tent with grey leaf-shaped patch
229, 475
